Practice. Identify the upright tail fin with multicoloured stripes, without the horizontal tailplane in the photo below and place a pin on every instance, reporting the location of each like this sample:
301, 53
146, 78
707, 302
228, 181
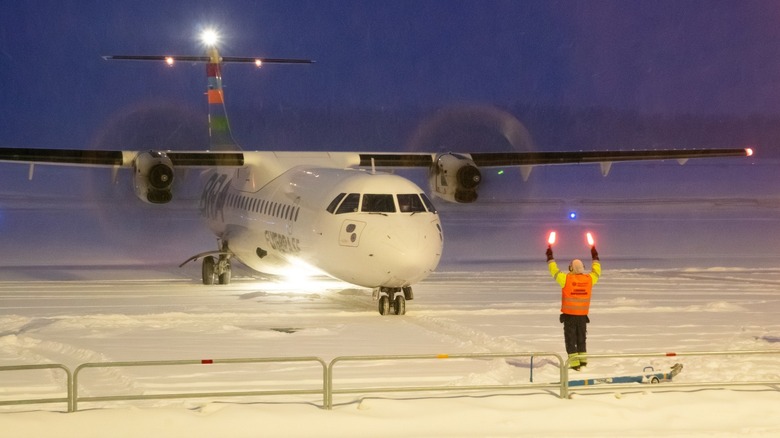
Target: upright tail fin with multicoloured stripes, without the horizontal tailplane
220, 137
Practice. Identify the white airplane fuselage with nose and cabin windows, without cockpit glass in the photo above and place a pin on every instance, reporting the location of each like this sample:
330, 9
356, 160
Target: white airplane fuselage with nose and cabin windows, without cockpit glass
280, 225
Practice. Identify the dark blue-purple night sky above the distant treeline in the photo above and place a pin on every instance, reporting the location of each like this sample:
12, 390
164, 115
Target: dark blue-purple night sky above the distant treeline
664, 57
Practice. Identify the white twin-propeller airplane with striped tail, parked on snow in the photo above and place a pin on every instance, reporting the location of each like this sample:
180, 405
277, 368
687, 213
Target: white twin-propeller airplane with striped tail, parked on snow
332, 213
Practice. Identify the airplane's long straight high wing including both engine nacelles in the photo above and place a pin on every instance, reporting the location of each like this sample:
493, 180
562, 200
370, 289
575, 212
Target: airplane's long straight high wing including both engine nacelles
454, 176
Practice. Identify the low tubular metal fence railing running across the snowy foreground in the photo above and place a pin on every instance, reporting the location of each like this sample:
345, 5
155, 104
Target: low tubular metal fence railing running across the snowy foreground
331, 386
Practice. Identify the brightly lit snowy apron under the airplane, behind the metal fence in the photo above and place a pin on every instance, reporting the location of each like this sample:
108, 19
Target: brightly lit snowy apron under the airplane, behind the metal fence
76, 315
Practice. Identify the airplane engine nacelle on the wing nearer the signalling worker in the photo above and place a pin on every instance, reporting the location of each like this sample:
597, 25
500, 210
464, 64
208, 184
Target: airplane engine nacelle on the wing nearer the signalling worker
455, 178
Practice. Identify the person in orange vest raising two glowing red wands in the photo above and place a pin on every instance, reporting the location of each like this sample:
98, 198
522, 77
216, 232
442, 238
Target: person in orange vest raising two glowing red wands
575, 303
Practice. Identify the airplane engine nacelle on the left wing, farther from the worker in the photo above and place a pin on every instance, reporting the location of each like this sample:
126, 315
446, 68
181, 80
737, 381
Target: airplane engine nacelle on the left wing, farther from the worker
153, 177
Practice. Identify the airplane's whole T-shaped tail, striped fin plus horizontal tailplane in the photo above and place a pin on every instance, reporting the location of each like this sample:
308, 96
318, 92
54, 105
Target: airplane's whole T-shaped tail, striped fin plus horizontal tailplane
220, 136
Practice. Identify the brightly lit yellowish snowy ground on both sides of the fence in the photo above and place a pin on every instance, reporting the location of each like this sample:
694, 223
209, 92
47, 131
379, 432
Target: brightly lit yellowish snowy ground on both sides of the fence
101, 315
